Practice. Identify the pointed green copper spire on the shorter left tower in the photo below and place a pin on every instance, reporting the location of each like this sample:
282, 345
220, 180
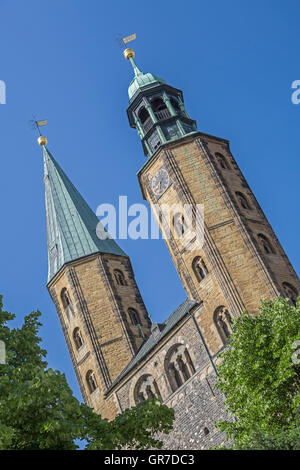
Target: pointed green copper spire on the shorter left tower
71, 224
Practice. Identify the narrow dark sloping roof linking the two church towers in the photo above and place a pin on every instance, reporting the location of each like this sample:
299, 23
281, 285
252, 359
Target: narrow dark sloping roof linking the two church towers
156, 337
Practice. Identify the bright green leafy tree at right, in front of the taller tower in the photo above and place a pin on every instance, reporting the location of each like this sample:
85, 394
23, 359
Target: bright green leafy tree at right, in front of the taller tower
260, 379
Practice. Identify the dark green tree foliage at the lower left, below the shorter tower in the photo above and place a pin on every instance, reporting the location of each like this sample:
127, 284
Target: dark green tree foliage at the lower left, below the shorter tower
38, 409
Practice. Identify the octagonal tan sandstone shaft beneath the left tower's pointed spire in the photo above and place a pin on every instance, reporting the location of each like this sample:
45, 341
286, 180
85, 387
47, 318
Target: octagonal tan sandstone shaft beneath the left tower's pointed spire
100, 310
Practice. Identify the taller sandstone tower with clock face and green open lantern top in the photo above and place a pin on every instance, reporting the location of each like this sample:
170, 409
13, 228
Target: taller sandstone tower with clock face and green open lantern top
240, 260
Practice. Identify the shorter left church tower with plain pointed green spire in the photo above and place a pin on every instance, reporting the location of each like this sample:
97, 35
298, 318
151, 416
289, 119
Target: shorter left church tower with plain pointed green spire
92, 284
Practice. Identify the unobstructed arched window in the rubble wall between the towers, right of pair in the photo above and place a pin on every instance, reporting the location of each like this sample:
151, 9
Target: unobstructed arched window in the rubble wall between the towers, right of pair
178, 366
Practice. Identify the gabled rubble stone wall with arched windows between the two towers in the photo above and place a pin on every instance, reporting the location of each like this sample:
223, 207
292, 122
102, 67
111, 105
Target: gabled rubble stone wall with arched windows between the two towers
197, 403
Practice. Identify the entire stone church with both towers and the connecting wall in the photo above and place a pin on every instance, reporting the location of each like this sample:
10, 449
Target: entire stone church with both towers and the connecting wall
120, 357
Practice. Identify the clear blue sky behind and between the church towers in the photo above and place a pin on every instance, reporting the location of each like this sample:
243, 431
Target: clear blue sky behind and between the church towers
235, 62
